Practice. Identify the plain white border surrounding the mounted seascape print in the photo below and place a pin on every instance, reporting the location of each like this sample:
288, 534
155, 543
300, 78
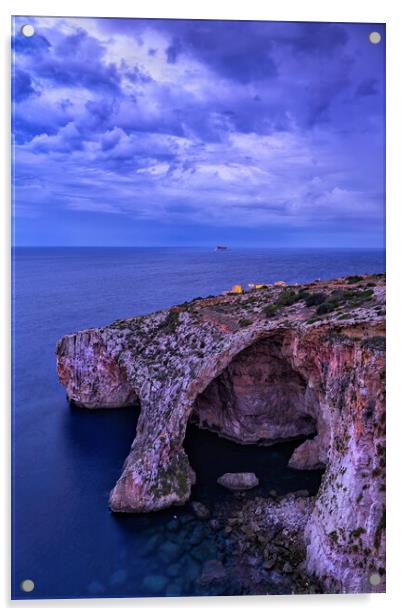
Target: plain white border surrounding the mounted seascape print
388, 11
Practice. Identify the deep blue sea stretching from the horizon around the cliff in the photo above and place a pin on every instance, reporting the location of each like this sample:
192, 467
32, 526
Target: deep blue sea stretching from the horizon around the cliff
66, 460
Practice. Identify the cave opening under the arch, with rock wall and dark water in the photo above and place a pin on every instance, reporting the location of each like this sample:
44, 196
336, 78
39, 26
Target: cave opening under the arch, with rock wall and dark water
250, 418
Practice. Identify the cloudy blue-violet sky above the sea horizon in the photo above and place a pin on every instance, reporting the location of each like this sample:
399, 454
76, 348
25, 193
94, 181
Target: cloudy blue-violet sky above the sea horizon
149, 132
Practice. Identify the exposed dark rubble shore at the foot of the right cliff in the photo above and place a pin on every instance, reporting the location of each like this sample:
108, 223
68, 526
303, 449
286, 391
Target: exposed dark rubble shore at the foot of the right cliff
266, 546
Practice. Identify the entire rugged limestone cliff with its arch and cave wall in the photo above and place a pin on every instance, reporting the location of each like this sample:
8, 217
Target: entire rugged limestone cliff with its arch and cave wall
268, 365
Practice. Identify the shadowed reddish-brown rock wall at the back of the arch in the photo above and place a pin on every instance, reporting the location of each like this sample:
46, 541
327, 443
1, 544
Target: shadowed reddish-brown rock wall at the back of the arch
259, 397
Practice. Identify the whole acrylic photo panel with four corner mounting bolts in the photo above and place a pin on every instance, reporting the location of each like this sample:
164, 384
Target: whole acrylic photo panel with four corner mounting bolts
198, 307
